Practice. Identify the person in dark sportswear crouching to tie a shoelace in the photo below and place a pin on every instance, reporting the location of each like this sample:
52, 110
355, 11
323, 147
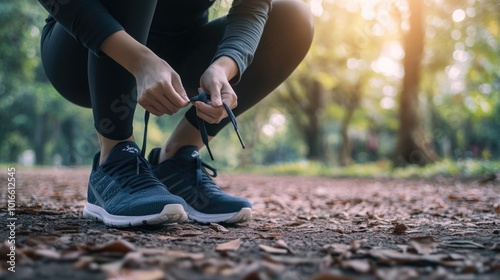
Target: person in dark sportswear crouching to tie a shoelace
109, 55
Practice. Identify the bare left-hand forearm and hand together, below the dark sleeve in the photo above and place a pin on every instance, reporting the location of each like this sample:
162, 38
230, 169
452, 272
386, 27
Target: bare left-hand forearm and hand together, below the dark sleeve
159, 87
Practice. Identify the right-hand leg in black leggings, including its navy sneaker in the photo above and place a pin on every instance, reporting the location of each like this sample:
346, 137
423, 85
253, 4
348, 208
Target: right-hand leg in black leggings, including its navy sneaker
285, 42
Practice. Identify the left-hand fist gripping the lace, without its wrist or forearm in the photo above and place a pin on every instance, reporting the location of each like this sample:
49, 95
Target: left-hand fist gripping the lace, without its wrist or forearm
159, 87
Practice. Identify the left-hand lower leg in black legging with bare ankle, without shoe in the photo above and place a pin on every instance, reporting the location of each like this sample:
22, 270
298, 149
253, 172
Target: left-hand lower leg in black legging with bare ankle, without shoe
112, 88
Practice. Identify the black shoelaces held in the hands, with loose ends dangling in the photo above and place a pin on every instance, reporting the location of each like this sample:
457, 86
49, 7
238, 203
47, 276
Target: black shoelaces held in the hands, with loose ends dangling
203, 97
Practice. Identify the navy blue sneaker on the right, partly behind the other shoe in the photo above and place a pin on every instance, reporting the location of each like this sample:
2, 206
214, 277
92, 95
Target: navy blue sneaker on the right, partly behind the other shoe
186, 175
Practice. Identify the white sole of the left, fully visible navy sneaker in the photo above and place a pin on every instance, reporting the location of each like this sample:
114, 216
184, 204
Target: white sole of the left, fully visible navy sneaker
172, 213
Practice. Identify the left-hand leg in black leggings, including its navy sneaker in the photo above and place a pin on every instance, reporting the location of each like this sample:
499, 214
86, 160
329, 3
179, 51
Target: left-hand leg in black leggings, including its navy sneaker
122, 190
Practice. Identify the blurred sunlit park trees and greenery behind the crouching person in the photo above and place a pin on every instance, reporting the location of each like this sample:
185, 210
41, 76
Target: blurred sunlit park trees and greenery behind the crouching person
387, 83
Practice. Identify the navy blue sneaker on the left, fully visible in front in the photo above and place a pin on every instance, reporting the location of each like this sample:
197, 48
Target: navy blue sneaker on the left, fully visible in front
124, 192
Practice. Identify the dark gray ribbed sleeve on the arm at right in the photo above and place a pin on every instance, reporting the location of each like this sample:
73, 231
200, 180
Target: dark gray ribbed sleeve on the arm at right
245, 24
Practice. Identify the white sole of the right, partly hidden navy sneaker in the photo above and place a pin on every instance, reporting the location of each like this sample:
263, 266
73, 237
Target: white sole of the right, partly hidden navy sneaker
244, 215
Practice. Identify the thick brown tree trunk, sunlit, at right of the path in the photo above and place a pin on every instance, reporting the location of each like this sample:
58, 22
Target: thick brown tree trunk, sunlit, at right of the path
412, 147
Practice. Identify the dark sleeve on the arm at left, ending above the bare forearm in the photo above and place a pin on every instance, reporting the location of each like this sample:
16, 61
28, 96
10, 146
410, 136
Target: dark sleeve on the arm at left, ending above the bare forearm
88, 21
